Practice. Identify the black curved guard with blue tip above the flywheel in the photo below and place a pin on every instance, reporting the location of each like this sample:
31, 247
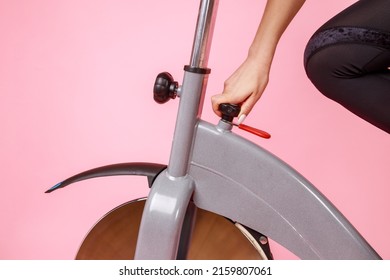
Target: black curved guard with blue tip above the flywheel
150, 170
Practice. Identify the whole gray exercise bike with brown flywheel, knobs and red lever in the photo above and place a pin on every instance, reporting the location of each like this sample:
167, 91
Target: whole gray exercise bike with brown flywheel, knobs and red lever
215, 175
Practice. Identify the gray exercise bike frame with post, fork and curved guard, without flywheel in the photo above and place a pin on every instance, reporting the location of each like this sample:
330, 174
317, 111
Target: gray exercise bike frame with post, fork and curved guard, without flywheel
224, 173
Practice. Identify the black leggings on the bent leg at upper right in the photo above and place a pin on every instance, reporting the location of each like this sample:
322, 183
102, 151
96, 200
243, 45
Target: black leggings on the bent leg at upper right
348, 60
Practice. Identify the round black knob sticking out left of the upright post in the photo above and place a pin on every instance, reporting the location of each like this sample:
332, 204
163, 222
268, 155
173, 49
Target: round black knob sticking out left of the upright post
165, 88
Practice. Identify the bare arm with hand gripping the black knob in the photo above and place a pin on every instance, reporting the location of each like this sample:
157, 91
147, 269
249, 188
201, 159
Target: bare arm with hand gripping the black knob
246, 85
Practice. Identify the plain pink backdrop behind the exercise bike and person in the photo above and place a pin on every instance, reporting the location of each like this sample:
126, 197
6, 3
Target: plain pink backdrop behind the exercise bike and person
76, 83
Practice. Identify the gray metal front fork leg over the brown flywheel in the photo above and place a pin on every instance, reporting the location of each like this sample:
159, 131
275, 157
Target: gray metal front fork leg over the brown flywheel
163, 217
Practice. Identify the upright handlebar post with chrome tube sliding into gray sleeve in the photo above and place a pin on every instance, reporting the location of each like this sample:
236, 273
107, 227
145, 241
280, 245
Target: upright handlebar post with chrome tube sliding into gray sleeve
192, 91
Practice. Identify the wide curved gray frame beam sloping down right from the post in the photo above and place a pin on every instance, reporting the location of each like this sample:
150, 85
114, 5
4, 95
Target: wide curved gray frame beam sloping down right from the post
241, 181
